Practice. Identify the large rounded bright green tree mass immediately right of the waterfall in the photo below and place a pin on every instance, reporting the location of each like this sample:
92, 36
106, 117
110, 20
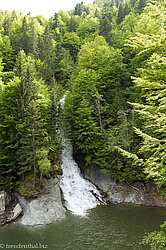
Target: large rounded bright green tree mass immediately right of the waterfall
91, 108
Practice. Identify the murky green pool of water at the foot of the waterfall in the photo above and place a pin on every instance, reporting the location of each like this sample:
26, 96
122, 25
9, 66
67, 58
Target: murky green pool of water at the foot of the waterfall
114, 227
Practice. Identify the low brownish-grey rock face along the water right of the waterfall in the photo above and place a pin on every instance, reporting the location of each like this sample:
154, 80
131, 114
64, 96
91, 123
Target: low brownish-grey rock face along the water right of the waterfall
137, 193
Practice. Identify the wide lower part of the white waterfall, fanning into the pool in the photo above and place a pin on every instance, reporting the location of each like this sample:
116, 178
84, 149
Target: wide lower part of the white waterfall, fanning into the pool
80, 194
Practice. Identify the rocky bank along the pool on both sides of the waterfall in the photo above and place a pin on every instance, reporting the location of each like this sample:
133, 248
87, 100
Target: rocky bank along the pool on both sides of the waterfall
48, 207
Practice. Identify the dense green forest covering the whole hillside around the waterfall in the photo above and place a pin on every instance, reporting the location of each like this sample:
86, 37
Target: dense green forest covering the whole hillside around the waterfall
109, 57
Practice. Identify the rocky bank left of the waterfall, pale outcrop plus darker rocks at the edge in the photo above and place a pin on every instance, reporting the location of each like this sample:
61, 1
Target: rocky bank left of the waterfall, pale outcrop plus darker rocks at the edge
44, 209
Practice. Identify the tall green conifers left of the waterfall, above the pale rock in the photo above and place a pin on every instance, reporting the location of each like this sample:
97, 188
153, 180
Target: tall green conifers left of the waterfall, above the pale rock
24, 136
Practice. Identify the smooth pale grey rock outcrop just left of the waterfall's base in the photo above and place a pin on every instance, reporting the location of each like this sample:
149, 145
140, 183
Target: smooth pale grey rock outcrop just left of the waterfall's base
45, 209
